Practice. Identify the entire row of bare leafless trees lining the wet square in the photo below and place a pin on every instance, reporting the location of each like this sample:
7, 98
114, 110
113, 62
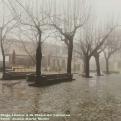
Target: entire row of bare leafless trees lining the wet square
69, 22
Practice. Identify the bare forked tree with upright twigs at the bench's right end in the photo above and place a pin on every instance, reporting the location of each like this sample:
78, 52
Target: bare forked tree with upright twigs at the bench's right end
68, 24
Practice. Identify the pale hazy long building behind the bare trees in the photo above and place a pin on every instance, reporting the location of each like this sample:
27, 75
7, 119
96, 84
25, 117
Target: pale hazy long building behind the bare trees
54, 56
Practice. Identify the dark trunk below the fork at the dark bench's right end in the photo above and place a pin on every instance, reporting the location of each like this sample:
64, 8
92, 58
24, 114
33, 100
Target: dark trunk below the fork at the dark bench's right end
69, 60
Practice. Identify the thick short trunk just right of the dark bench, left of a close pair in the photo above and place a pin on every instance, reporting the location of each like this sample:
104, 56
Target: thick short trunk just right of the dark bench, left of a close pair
87, 66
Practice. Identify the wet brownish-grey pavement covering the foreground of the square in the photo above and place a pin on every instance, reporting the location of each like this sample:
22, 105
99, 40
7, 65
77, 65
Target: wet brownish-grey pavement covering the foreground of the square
94, 99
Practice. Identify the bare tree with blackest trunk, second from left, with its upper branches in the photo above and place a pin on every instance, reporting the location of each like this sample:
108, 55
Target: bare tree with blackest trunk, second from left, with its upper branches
34, 23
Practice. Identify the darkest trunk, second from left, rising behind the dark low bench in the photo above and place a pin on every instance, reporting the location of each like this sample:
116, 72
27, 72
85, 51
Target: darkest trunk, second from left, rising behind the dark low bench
38, 57
